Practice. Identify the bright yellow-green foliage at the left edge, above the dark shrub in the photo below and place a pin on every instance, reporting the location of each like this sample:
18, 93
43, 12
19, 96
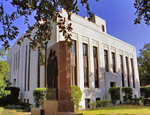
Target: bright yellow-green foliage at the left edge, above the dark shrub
4, 69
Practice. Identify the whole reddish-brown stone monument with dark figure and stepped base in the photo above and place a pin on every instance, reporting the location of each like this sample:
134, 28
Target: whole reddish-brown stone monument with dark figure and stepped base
58, 95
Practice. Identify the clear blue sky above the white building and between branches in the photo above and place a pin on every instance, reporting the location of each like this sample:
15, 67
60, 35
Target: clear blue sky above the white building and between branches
119, 16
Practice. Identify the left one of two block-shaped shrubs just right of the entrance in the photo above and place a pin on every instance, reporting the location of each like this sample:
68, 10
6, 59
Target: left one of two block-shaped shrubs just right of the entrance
115, 94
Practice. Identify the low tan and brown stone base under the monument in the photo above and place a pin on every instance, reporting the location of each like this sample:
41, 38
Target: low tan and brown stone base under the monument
55, 108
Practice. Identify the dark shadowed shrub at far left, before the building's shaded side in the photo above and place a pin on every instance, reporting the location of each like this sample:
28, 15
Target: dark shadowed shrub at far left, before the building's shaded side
12, 98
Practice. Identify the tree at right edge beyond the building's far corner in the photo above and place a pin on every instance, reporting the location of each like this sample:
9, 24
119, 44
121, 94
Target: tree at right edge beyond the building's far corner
144, 65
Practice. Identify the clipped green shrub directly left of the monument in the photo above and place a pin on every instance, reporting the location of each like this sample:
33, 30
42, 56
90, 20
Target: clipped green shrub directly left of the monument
39, 95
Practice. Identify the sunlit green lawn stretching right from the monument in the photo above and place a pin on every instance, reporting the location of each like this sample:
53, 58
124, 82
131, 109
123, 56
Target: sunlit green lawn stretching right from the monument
122, 109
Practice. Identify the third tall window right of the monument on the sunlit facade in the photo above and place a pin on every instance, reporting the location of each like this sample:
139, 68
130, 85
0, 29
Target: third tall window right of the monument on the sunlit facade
95, 57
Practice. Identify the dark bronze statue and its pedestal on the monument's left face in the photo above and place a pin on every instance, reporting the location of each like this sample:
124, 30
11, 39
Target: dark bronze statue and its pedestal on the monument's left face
52, 77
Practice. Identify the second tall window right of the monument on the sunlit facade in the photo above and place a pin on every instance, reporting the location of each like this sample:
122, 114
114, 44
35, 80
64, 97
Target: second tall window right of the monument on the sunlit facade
85, 65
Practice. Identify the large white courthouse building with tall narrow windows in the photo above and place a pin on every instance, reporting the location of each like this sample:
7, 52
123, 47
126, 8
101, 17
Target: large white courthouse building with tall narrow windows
98, 61
